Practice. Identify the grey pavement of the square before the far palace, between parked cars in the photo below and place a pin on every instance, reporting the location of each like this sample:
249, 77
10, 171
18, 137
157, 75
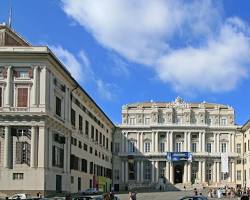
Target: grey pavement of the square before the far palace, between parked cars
161, 195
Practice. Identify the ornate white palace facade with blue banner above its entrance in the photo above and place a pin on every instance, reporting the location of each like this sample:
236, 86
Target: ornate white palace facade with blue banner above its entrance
176, 143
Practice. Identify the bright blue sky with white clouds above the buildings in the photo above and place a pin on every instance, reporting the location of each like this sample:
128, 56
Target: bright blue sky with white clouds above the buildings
130, 51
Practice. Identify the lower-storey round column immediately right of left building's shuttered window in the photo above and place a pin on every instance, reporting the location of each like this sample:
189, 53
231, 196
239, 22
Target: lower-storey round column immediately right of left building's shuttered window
33, 152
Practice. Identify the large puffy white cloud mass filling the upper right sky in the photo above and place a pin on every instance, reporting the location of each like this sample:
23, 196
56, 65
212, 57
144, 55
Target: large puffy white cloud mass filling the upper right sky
183, 41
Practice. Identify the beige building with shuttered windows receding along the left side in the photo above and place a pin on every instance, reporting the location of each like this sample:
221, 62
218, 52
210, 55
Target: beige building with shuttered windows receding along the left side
53, 136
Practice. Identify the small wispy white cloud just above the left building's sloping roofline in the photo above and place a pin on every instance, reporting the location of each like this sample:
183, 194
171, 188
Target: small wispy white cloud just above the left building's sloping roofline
81, 70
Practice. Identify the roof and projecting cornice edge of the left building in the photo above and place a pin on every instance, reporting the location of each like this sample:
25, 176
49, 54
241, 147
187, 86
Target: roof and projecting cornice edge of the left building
22, 46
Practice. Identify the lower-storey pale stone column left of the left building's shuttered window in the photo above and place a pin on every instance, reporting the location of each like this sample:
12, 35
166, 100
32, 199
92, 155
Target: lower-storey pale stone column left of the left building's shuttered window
7, 145
